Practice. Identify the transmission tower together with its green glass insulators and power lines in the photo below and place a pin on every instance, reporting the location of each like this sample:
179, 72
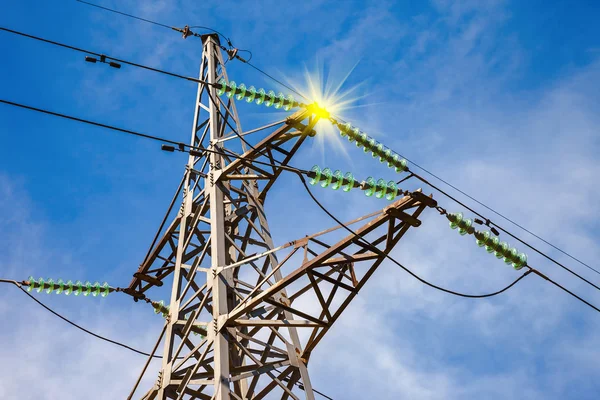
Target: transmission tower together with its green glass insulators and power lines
245, 316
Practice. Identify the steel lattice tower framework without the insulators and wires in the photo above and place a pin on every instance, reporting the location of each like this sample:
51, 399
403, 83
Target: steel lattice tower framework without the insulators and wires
244, 315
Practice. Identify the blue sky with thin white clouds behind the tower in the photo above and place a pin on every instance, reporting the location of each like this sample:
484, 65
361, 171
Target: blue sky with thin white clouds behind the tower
499, 97
